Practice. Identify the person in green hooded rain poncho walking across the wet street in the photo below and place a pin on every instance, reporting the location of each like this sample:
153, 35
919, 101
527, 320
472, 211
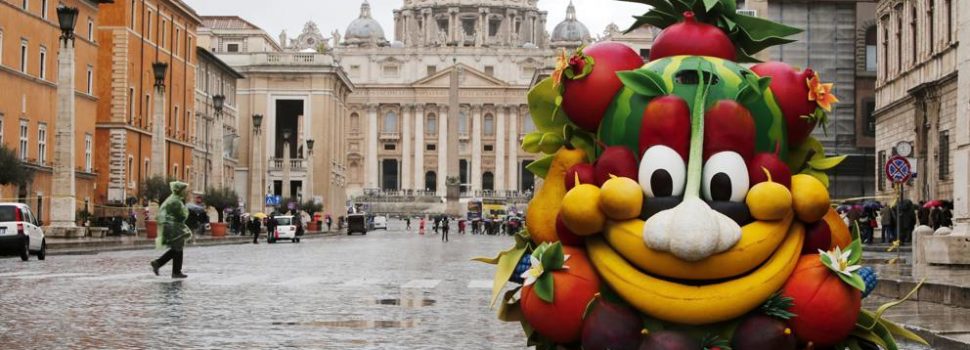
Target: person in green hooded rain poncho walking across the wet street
171, 218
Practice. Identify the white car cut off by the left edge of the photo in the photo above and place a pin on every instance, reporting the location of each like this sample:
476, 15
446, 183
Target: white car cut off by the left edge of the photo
20, 231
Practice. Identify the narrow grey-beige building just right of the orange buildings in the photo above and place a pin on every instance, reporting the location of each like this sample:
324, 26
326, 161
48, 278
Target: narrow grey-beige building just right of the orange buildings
216, 131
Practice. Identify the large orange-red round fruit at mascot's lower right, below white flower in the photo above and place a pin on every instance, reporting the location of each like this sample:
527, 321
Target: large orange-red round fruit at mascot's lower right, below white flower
825, 308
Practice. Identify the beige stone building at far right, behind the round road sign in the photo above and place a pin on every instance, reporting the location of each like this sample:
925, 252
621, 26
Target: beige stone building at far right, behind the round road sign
921, 96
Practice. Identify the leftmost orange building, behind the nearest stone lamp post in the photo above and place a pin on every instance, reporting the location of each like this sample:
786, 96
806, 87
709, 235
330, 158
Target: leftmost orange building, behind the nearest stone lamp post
29, 45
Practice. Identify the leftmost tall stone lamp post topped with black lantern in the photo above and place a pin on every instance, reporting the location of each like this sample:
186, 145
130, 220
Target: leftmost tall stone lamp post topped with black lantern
64, 192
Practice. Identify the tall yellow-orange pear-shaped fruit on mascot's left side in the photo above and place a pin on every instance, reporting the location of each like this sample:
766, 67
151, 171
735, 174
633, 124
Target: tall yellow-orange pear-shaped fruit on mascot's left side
547, 201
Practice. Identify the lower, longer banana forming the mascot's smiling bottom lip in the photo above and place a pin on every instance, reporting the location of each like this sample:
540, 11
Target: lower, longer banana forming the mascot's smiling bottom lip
697, 305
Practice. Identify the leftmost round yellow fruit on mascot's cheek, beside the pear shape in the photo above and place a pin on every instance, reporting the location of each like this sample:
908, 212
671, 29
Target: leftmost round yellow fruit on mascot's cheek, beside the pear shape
581, 210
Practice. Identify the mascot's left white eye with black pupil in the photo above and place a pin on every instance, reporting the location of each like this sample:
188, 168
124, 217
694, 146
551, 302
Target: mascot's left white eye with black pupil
662, 172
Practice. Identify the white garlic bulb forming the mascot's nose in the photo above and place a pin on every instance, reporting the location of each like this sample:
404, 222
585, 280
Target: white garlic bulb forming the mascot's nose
691, 231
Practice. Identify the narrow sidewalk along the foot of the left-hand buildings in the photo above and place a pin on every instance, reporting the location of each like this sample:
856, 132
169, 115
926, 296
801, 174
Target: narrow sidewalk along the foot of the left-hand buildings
65, 246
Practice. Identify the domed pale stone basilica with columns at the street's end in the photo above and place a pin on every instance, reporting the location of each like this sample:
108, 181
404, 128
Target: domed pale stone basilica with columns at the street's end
450, 64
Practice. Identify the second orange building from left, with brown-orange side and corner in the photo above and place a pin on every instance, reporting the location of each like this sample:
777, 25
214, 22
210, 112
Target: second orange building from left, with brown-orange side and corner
134, 34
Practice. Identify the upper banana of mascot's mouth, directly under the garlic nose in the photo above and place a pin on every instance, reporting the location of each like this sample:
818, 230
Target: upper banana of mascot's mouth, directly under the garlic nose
758, 240
